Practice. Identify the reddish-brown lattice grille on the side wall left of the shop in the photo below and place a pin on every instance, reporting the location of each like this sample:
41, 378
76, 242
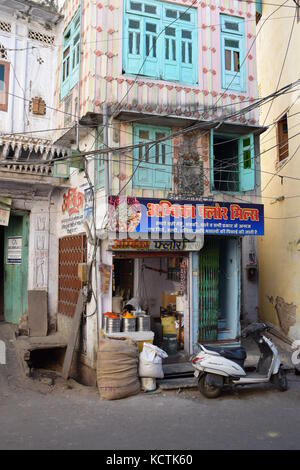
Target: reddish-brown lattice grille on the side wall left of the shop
72, 251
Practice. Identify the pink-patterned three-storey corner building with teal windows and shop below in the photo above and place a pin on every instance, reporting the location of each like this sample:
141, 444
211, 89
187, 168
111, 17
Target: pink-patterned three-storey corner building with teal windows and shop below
158, 97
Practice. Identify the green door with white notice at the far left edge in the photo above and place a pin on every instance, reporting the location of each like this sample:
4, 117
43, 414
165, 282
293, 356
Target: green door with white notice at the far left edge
16, 267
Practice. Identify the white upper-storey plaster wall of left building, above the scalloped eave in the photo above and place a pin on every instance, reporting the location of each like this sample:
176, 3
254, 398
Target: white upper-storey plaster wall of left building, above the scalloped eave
31, 67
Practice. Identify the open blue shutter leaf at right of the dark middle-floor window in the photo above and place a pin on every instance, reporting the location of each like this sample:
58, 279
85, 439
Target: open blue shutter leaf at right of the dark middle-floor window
246, 163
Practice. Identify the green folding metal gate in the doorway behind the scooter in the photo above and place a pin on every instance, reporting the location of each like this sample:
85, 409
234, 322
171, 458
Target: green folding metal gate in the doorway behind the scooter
209, 290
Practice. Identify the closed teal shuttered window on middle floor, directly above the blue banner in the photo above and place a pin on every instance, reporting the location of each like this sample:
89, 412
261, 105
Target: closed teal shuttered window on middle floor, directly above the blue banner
152, 162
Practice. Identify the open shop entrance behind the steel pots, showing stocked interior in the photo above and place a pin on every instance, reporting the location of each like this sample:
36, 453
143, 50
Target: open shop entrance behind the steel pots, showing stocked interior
156, 283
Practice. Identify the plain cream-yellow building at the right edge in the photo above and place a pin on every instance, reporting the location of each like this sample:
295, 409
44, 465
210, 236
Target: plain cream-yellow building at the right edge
278, 250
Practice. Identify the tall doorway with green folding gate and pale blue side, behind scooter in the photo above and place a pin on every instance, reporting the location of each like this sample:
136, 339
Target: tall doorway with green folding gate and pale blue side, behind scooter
219, 289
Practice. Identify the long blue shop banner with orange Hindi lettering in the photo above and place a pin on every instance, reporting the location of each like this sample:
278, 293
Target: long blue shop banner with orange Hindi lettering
183, 218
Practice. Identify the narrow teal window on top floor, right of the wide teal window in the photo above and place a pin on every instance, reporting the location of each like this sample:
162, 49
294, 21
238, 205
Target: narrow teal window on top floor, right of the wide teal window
232, 53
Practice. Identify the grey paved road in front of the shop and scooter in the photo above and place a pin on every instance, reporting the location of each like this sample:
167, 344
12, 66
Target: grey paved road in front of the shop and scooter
62, 418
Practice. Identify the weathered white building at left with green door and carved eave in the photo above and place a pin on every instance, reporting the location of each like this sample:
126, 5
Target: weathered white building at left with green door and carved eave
27, 183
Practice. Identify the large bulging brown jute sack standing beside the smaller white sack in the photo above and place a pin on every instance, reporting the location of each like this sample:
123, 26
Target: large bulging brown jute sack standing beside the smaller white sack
117, 368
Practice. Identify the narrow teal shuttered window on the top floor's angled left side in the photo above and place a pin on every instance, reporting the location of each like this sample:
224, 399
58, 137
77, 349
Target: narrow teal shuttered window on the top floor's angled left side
70, 56
